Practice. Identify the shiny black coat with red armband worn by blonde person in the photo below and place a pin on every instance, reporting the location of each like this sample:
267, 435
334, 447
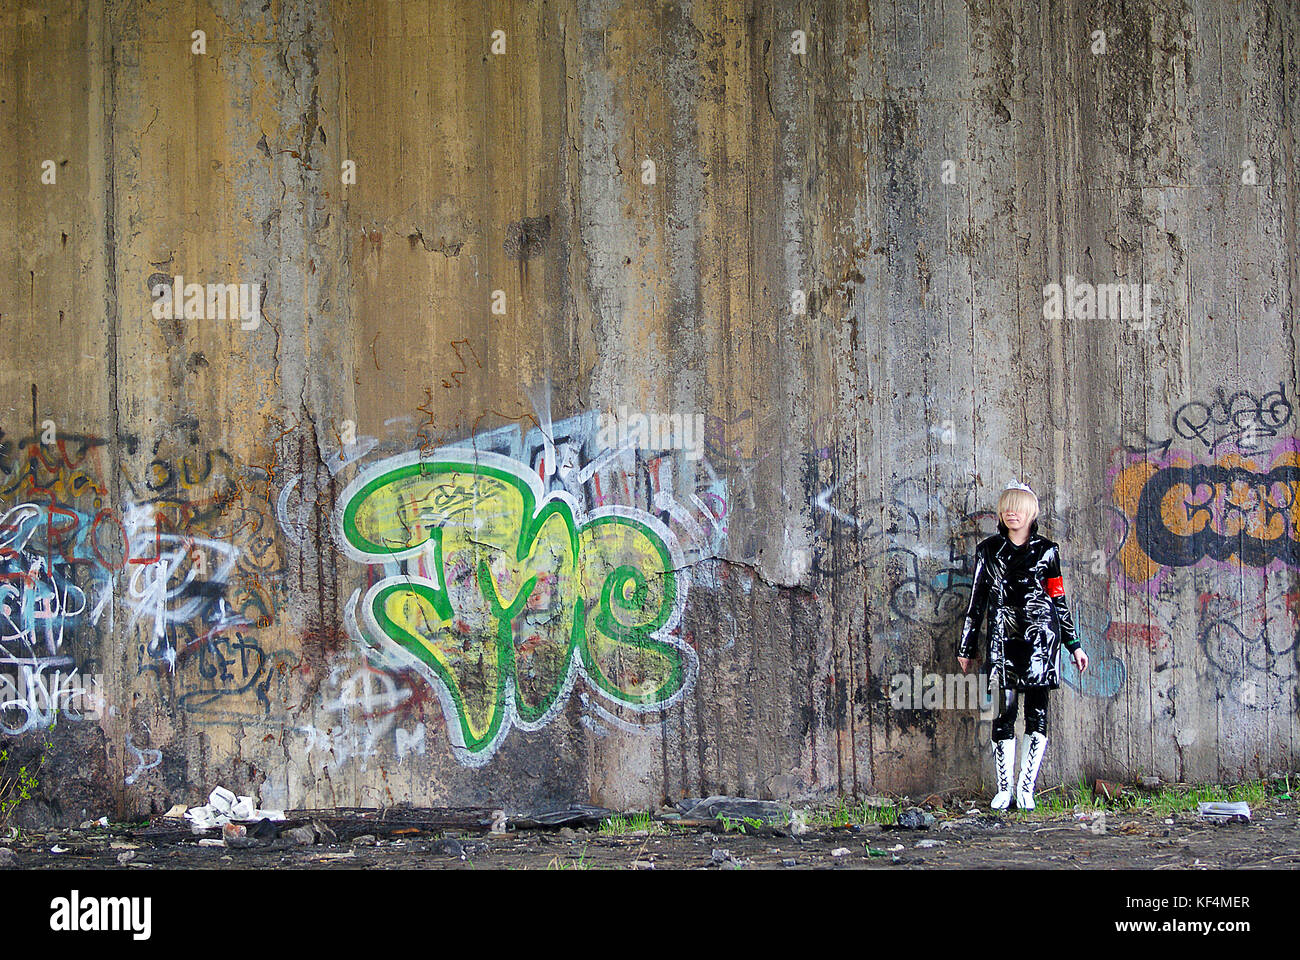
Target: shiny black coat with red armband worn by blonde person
1026, 625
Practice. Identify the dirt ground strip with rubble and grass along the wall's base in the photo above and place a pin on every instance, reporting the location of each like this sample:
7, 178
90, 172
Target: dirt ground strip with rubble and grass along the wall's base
1145, 841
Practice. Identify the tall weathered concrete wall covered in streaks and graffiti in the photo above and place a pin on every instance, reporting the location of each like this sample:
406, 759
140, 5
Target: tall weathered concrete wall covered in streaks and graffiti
834, 256
